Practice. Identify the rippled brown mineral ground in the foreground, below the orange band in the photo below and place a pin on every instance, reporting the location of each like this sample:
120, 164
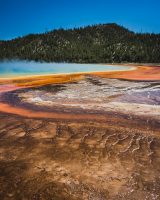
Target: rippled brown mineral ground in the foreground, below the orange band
48, 159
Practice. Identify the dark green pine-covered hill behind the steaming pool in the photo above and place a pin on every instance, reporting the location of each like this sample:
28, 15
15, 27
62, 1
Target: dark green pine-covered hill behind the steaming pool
103, 43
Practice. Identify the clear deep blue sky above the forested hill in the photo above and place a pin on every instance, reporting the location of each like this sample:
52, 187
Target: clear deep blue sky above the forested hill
21, 17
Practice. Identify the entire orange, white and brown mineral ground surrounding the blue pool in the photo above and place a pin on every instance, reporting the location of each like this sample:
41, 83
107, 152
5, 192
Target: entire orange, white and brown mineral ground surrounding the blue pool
81, 136
